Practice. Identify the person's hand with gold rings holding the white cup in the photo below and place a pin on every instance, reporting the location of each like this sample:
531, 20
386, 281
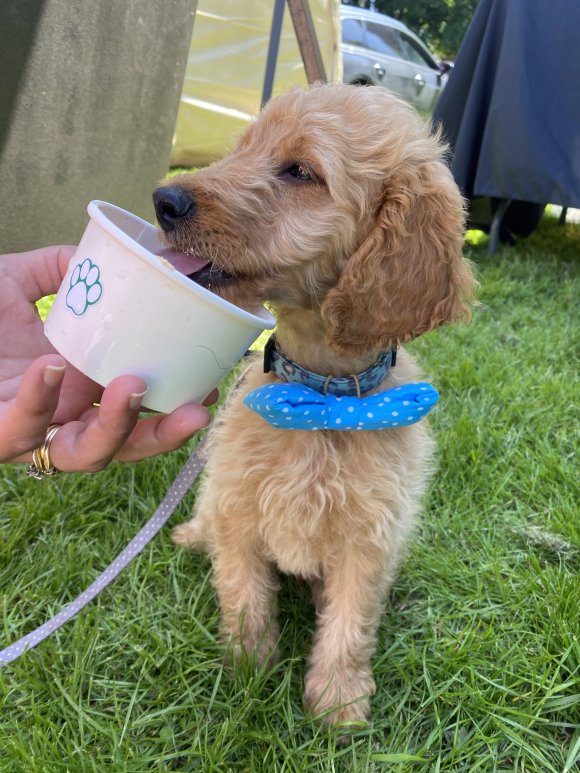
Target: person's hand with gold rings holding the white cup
38, 388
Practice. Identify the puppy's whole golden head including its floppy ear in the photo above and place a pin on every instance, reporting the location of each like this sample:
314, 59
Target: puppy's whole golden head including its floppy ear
315, 208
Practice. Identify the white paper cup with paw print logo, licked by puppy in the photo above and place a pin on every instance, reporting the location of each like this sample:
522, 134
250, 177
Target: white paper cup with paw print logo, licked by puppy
121, 310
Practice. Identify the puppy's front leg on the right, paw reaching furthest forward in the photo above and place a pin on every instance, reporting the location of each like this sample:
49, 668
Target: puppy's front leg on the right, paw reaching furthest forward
339, 682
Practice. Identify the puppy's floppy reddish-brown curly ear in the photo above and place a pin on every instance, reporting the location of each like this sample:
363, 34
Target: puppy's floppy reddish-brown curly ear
408, 276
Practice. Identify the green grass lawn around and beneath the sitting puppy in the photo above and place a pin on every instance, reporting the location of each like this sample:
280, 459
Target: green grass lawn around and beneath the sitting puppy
478, 661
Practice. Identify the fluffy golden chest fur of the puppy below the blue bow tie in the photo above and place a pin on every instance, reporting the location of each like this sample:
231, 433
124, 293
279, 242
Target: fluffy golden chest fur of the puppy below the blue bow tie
304, 494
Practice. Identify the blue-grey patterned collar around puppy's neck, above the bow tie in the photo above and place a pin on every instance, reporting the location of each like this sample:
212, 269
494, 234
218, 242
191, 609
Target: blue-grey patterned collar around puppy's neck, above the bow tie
341, 386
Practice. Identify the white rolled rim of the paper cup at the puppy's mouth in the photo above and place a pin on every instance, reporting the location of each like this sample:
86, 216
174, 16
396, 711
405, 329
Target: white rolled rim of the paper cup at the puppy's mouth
97, 210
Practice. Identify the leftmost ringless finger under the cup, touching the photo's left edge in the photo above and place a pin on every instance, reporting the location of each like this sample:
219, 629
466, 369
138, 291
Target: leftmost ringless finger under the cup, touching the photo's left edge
23, 424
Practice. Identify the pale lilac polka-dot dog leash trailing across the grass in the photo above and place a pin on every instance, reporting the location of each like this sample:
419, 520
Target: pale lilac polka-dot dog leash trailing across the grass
180, 486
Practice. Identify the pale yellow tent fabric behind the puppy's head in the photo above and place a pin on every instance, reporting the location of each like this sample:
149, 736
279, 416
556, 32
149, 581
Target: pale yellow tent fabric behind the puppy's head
226, 66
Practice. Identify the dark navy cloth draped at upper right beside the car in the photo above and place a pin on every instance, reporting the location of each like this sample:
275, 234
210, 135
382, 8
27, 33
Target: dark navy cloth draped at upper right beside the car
511, 108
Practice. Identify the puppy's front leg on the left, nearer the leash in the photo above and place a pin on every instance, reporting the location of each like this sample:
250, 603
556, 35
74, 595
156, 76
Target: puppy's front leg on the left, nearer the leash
246, 585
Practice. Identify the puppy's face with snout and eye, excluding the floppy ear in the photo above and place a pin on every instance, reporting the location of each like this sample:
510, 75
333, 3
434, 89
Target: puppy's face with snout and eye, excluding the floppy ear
276, 219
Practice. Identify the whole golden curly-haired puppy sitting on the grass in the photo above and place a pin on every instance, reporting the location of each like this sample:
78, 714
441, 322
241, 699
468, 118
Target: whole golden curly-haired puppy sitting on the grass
336, 207
